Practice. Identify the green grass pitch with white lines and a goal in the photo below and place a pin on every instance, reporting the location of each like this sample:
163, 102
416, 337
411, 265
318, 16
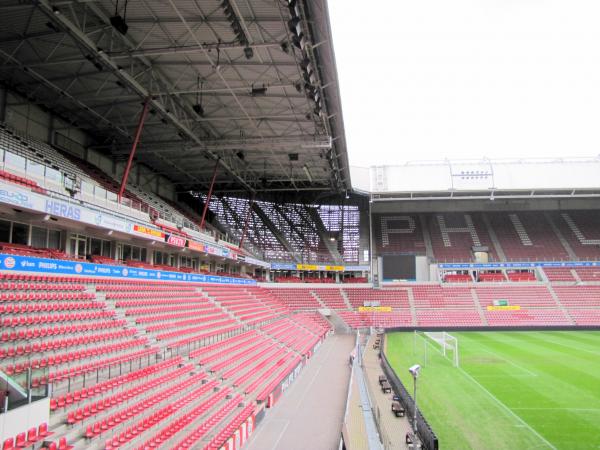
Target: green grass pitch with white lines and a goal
513, 390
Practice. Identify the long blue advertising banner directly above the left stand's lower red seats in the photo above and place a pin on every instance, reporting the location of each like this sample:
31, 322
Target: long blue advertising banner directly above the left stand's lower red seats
49, 266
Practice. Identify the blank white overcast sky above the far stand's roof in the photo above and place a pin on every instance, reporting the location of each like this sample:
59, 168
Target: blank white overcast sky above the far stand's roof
435, 79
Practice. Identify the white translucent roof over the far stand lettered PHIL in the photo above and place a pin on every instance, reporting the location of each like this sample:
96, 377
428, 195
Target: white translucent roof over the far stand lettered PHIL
525, 178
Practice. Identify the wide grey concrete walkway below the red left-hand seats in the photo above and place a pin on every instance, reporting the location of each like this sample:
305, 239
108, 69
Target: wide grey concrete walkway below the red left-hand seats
310, 413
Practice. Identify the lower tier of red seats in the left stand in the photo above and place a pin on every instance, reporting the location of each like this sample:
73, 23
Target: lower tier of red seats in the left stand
100, 345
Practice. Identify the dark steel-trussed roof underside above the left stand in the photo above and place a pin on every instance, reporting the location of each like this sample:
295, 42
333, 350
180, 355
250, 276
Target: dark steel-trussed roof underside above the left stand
250, 85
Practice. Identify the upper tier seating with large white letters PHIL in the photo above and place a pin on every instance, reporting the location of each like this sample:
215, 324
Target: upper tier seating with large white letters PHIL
522, 235
